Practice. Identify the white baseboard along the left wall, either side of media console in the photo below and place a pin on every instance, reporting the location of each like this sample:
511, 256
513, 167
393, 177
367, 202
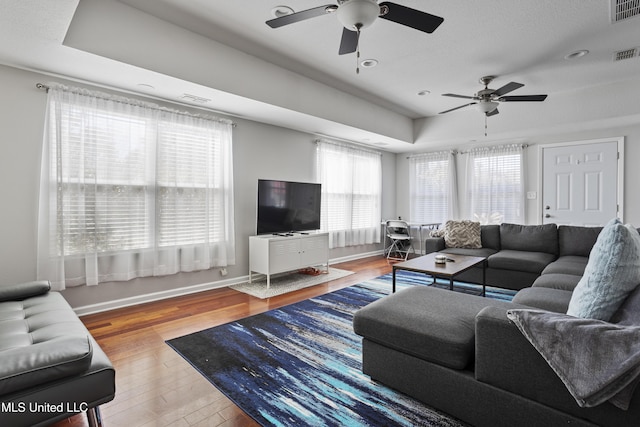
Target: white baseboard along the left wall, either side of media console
157, 296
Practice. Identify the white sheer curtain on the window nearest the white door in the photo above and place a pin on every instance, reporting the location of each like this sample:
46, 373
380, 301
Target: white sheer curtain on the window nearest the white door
495, 184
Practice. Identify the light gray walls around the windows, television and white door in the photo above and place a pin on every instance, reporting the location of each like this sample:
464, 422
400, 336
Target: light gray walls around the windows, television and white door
260, 151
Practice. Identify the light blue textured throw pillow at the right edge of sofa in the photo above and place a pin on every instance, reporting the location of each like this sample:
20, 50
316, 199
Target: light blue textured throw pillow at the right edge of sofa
613, 271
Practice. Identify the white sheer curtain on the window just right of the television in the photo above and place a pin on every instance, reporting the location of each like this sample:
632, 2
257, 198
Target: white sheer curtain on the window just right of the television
351, 179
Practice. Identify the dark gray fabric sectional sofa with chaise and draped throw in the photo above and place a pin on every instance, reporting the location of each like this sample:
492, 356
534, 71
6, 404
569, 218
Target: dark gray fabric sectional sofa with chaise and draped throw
461, 354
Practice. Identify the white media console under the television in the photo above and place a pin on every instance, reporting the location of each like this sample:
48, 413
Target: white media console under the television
272, 254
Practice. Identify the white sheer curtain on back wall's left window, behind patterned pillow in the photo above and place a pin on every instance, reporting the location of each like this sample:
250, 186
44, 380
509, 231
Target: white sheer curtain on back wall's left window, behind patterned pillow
433, 187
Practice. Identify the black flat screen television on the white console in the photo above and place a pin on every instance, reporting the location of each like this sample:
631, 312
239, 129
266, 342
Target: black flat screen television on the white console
285, 206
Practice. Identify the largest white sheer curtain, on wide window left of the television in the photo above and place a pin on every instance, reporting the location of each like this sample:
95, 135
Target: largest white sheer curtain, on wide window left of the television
129, 189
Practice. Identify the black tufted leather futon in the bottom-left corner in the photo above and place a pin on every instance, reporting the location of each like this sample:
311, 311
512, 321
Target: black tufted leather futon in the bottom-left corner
50, 365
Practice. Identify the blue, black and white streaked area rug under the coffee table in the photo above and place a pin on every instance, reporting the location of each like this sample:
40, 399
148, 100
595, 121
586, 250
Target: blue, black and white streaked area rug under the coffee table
302, 364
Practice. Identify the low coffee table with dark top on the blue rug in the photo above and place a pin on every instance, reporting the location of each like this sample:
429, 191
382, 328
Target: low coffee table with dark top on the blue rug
455, 265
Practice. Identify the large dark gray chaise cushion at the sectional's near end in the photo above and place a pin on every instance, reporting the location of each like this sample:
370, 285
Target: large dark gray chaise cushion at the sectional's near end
432, 324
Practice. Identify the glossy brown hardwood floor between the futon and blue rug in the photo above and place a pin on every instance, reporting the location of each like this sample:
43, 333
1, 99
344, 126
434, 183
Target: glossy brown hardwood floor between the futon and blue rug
154, 385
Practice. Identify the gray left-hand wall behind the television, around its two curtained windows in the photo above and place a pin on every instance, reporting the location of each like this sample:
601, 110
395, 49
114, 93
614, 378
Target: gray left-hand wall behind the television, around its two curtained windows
260, 151
